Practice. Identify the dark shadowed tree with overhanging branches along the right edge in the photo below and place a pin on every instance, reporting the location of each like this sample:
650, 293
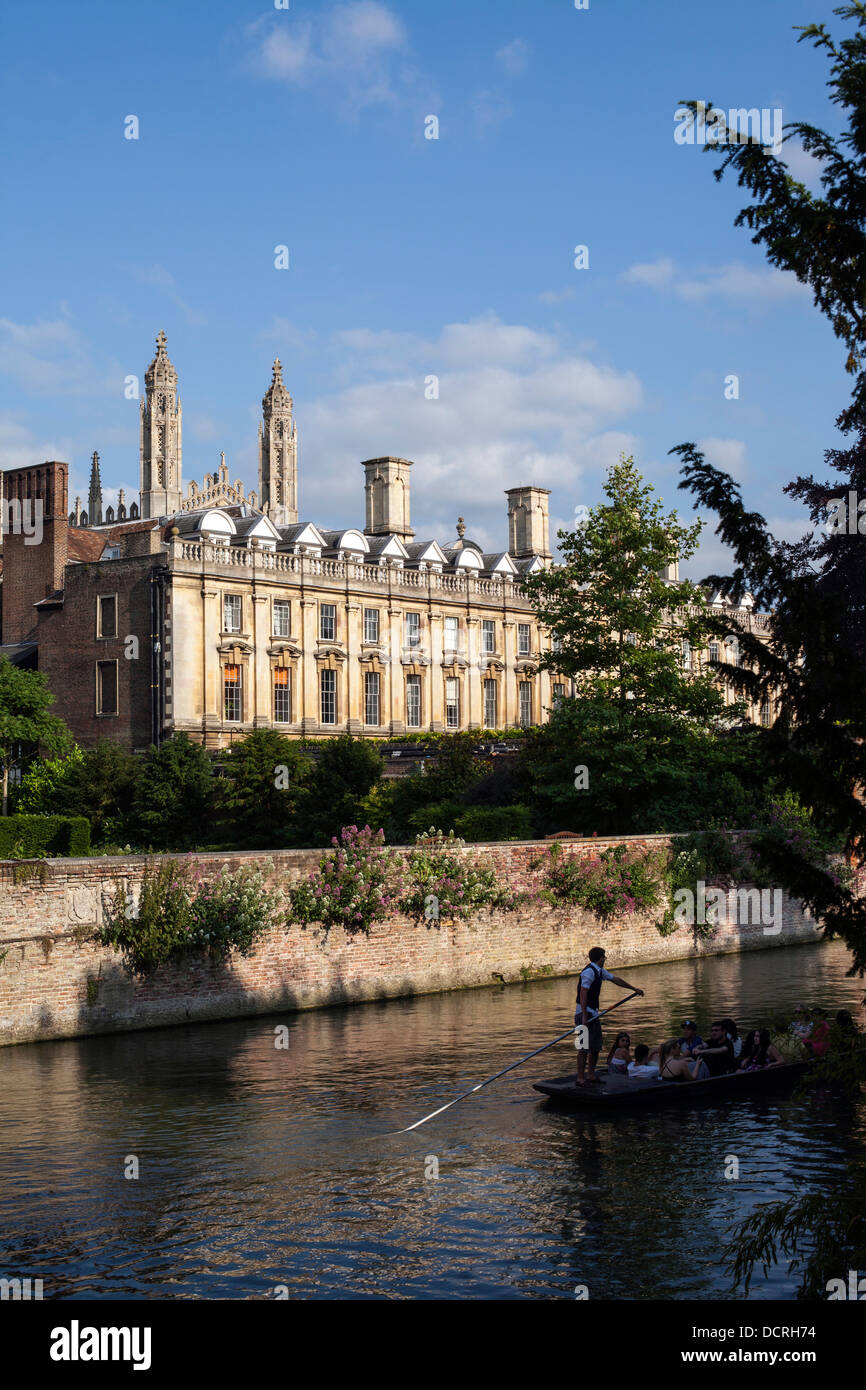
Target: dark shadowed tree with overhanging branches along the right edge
817, 657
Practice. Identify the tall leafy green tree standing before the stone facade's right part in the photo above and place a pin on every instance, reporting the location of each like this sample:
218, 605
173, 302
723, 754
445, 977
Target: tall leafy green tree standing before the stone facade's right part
630, 641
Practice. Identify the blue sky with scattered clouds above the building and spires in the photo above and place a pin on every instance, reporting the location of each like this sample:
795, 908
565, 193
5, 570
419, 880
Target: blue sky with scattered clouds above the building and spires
409, 258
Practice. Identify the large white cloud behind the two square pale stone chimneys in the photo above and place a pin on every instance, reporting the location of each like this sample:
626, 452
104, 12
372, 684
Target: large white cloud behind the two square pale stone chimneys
515, 407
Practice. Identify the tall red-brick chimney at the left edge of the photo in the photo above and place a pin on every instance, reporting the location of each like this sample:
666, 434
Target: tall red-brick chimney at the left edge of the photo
35, 532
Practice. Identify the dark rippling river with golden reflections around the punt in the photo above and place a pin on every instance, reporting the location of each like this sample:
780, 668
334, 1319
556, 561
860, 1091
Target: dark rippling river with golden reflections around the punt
270, 1171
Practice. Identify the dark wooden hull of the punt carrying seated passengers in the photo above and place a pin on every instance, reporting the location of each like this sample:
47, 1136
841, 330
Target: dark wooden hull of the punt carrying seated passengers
615, 1093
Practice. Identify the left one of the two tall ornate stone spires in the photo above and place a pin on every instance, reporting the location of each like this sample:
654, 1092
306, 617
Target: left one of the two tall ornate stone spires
161, 437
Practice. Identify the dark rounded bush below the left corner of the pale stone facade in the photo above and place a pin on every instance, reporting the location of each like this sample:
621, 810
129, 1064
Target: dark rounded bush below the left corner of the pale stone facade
176, 804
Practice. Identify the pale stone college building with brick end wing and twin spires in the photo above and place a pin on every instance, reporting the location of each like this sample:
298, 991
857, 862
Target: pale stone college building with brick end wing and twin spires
219, 612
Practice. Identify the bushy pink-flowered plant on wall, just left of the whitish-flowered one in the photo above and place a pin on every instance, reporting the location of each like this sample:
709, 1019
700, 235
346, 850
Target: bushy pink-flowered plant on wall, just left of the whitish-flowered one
354, 888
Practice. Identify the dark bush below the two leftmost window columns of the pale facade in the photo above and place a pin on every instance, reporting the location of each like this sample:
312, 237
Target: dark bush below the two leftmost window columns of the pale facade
266, 778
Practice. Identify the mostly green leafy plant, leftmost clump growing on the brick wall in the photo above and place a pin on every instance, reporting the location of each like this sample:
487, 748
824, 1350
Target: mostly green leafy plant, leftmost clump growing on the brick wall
181, 915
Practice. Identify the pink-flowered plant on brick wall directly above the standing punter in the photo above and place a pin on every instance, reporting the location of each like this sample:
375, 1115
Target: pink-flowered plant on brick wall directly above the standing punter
616, 883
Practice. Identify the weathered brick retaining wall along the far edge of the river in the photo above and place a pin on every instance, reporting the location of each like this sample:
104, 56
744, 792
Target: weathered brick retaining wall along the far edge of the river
56, 982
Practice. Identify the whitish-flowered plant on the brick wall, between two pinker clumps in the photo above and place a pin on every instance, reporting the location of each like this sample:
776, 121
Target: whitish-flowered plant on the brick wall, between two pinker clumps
446, 883
